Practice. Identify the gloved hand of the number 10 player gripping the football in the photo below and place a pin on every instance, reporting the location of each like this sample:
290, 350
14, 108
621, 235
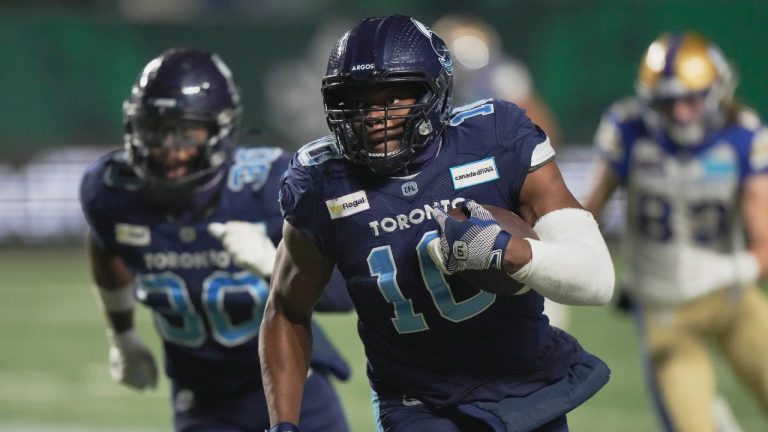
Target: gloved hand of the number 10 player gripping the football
477, 243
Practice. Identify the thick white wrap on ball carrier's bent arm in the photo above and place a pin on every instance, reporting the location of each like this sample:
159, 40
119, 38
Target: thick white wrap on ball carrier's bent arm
570, 264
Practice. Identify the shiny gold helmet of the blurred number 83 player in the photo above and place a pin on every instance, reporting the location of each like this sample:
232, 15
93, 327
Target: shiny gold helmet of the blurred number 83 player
682, 65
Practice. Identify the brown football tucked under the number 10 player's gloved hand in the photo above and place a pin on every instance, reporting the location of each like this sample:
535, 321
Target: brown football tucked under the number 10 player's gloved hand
492, 280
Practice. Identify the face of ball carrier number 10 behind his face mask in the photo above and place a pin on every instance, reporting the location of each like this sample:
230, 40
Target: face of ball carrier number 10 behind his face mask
385, 110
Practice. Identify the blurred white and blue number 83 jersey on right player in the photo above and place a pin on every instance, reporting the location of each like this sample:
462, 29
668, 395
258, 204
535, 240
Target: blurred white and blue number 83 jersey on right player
679, 200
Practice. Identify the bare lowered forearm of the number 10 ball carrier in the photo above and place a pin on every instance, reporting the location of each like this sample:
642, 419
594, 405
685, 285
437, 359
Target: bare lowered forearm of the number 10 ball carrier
284, 350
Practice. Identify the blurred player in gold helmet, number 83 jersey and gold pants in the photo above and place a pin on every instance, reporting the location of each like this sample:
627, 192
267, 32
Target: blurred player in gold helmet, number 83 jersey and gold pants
693, 164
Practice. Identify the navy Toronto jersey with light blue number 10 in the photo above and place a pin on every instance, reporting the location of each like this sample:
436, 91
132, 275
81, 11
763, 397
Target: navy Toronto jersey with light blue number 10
426, 334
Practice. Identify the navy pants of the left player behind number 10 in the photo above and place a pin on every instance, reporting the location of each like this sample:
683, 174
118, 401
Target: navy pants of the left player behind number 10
195, 412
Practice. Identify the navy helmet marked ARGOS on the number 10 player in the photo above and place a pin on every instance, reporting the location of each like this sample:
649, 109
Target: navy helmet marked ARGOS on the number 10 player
389, 51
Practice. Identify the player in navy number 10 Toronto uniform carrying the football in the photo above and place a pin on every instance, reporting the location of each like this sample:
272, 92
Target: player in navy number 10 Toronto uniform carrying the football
442, 356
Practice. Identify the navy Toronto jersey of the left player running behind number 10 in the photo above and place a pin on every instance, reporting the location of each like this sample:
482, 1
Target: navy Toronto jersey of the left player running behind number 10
207, 310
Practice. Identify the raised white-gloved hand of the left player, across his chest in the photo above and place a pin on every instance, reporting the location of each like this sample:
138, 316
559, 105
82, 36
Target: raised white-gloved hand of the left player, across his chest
248, 243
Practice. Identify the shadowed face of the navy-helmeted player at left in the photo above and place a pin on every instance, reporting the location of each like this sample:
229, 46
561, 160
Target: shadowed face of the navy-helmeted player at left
177, 151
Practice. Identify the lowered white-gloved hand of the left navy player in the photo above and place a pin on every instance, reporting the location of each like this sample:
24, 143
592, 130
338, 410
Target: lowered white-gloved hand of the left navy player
130, 361
